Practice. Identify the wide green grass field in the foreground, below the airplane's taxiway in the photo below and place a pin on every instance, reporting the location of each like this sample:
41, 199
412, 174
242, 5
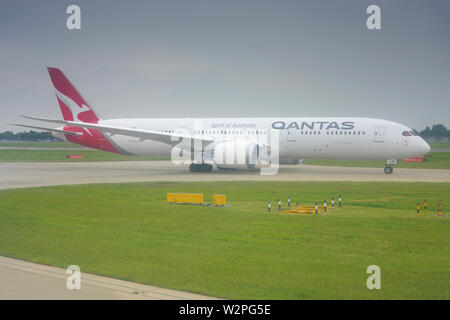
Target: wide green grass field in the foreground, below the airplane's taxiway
128, 231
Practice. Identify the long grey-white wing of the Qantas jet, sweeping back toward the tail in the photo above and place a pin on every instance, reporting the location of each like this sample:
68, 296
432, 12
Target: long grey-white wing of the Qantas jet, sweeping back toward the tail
169, 138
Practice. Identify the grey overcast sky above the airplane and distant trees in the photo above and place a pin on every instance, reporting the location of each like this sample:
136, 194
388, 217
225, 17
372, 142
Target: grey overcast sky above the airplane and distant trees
230, 59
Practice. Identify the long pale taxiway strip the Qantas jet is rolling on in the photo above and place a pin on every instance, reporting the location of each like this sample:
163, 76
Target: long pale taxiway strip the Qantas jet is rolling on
32, 174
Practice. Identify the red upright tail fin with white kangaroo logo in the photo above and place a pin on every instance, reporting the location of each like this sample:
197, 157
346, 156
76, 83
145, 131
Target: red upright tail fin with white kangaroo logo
72, 104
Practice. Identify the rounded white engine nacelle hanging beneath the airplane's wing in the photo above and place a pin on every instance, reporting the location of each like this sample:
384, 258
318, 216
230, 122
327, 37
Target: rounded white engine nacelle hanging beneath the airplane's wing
236, 154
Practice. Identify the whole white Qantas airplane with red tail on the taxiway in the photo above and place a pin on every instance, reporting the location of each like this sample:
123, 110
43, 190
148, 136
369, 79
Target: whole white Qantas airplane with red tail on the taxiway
217, 141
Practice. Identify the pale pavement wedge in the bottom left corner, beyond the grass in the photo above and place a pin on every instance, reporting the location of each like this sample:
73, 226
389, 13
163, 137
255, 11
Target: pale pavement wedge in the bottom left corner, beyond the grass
26, 280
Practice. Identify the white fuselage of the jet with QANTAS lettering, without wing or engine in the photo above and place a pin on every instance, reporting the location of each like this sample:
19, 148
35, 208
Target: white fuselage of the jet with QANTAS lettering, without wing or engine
299, 138
